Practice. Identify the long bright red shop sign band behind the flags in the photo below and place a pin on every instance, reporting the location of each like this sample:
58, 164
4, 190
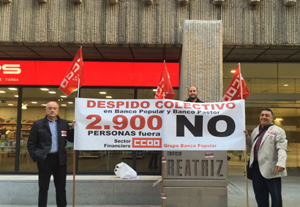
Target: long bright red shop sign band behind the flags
51, 73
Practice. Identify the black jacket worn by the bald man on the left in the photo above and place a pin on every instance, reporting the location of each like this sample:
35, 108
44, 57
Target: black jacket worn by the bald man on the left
40, 141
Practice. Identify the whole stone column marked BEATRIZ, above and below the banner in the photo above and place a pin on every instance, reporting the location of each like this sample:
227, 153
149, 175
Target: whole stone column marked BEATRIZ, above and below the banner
201, 66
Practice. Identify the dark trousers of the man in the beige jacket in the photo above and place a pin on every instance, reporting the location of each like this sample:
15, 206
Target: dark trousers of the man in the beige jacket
263, 187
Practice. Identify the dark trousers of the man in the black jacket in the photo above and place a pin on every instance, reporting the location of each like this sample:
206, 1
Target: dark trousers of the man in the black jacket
47, 167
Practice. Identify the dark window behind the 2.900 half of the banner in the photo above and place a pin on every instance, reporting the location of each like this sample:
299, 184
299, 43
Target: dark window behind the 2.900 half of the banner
105, 161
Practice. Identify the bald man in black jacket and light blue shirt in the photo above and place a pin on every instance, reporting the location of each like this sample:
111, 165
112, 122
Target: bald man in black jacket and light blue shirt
47, 145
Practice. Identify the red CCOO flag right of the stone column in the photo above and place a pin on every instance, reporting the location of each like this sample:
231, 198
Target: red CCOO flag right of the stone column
233, 91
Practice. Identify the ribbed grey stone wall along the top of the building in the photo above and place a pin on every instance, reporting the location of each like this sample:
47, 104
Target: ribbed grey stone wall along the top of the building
133, 22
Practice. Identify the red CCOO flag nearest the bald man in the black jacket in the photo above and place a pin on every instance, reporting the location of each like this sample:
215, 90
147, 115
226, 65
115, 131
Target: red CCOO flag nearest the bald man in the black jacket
70, 82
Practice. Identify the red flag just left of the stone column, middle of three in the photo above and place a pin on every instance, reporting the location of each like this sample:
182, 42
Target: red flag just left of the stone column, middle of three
164, 88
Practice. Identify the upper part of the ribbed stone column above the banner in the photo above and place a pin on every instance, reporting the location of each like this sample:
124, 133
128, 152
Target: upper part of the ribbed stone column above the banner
201, 60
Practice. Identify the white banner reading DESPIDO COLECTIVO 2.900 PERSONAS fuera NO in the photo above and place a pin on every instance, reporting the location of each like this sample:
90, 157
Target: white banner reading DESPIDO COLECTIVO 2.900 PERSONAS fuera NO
106, 124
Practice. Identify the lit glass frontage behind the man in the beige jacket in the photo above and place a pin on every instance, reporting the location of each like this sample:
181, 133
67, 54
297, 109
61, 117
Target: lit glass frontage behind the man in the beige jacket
269, 79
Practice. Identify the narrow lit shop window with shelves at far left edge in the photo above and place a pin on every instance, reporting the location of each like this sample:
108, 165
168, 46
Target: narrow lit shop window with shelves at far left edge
8, 126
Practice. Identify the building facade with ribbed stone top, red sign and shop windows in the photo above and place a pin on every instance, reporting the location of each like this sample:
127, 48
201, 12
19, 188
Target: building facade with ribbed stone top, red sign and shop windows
46, 34
